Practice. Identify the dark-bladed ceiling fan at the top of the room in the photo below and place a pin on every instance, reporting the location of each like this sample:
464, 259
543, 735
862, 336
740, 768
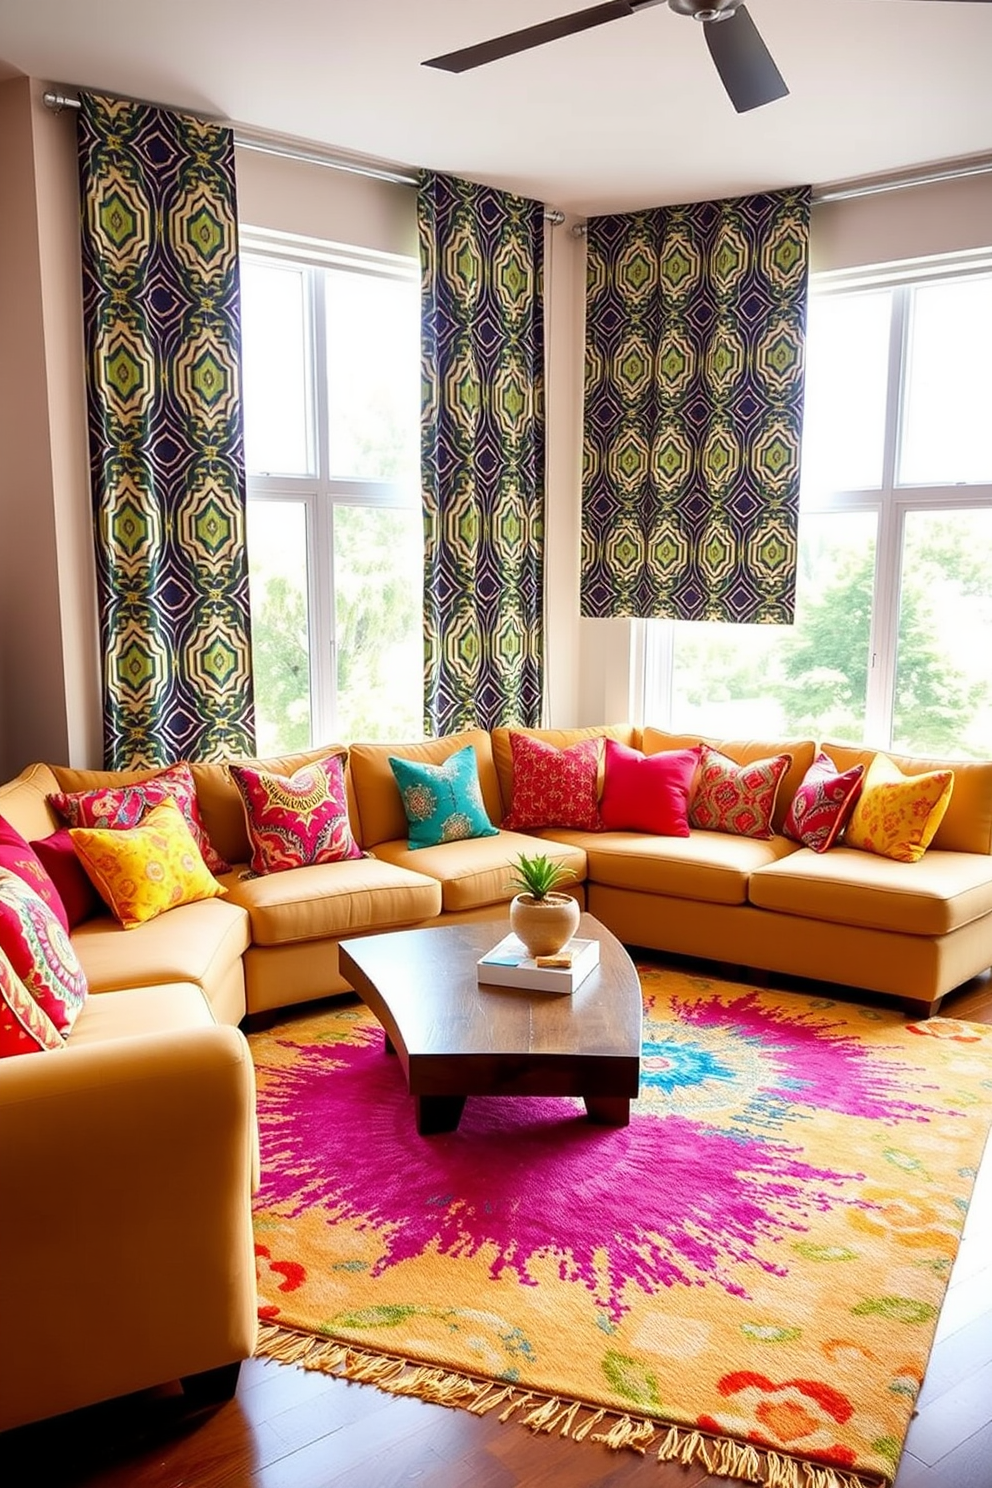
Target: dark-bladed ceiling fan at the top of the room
741, 57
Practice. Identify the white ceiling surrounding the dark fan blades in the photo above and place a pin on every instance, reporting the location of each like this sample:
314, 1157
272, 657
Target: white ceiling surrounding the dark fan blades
622, 117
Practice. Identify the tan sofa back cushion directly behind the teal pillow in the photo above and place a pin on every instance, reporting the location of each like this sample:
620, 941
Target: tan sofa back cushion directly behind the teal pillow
381, 815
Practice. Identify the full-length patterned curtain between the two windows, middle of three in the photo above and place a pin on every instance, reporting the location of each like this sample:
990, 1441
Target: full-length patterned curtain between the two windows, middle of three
483, 459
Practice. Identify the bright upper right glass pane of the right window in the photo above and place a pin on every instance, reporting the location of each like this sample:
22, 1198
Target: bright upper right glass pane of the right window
950, 389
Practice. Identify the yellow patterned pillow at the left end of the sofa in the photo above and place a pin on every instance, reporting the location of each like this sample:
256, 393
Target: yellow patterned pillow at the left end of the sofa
148, 870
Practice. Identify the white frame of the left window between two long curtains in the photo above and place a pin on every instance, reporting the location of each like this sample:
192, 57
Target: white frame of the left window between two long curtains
319, 493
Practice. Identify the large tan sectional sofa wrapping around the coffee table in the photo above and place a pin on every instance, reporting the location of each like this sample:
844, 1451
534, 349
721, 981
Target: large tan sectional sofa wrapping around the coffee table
136, 1144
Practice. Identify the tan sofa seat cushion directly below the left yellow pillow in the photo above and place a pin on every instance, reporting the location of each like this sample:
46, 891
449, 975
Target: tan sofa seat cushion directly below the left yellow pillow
190, 944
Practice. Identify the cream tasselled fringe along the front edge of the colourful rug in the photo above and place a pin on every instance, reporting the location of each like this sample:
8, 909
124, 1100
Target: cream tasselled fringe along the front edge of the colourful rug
724, 1457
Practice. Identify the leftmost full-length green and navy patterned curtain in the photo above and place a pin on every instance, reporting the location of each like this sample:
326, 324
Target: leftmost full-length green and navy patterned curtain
160, 245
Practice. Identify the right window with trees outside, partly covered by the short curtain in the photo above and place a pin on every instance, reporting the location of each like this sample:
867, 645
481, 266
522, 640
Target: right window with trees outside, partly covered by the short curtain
895, 594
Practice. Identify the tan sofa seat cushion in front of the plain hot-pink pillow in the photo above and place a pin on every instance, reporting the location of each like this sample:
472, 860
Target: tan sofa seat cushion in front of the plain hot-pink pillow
712, 867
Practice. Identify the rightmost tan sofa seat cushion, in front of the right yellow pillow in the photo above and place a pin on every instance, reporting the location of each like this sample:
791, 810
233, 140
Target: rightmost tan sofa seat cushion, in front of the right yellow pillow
935, 897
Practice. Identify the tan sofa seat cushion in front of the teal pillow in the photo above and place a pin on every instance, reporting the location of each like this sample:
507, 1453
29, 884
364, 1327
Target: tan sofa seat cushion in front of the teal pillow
477, 873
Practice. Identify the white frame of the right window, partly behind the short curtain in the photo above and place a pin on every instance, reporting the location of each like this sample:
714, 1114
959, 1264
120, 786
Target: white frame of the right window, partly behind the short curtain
654, 641
